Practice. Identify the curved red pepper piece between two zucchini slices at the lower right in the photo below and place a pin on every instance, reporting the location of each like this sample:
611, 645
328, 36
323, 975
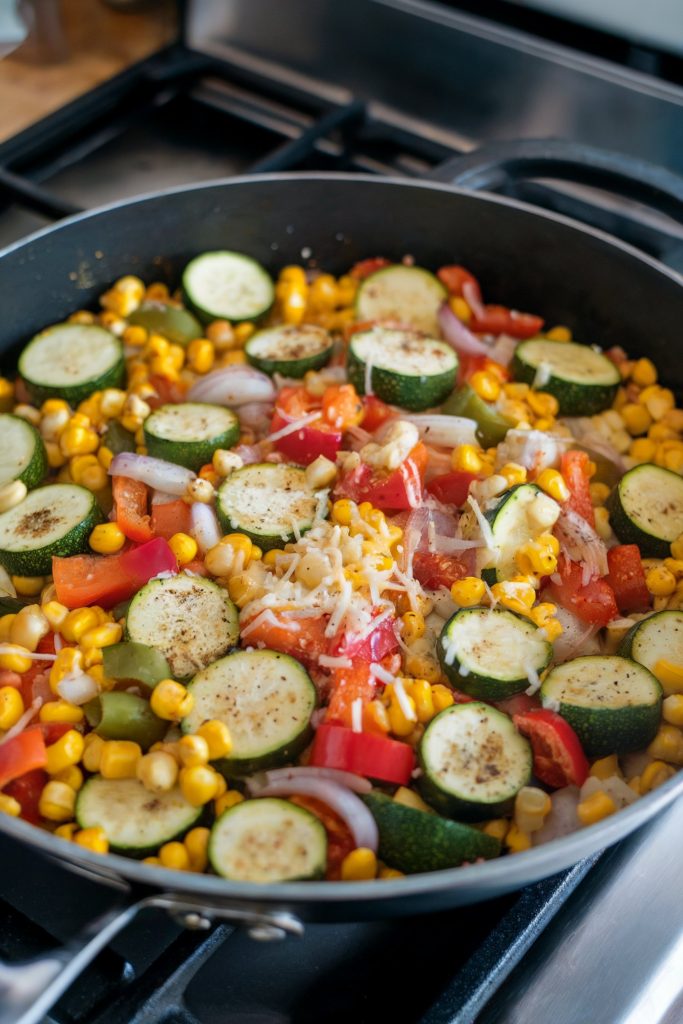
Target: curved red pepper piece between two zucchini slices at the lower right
559, 756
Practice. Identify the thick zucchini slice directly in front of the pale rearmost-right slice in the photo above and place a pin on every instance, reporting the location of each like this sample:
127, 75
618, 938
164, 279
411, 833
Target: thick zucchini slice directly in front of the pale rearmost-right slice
406, 368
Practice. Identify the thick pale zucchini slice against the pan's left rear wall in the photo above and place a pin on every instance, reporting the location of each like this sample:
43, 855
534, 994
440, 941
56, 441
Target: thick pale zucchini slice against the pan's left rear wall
72, 361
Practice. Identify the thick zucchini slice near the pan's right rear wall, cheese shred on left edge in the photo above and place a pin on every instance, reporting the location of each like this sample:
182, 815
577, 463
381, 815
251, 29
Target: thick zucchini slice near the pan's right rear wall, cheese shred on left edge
584, 381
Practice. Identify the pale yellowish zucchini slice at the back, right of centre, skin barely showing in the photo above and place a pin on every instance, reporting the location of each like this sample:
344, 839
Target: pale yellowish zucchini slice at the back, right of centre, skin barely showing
406, 294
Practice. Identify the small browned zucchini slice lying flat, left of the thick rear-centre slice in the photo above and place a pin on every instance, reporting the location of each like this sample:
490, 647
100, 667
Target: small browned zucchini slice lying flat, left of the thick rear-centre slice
290, 350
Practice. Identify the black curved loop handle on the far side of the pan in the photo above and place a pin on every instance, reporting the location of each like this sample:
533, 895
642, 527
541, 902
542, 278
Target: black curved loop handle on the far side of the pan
497, 164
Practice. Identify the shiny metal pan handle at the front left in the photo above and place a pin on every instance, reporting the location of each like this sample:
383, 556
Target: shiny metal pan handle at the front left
28, 991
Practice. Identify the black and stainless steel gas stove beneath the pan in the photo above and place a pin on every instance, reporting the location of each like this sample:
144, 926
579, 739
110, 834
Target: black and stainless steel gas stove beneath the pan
402, 89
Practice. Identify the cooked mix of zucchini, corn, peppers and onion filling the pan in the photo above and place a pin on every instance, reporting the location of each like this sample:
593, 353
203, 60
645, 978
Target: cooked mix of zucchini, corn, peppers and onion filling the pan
343, 578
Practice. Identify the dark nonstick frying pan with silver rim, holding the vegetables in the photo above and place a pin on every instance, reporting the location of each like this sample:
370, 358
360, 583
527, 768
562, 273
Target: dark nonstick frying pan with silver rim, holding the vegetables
608, 292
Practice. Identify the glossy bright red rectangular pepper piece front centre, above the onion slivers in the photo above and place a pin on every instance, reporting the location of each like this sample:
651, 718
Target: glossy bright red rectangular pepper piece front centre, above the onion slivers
363, 753
